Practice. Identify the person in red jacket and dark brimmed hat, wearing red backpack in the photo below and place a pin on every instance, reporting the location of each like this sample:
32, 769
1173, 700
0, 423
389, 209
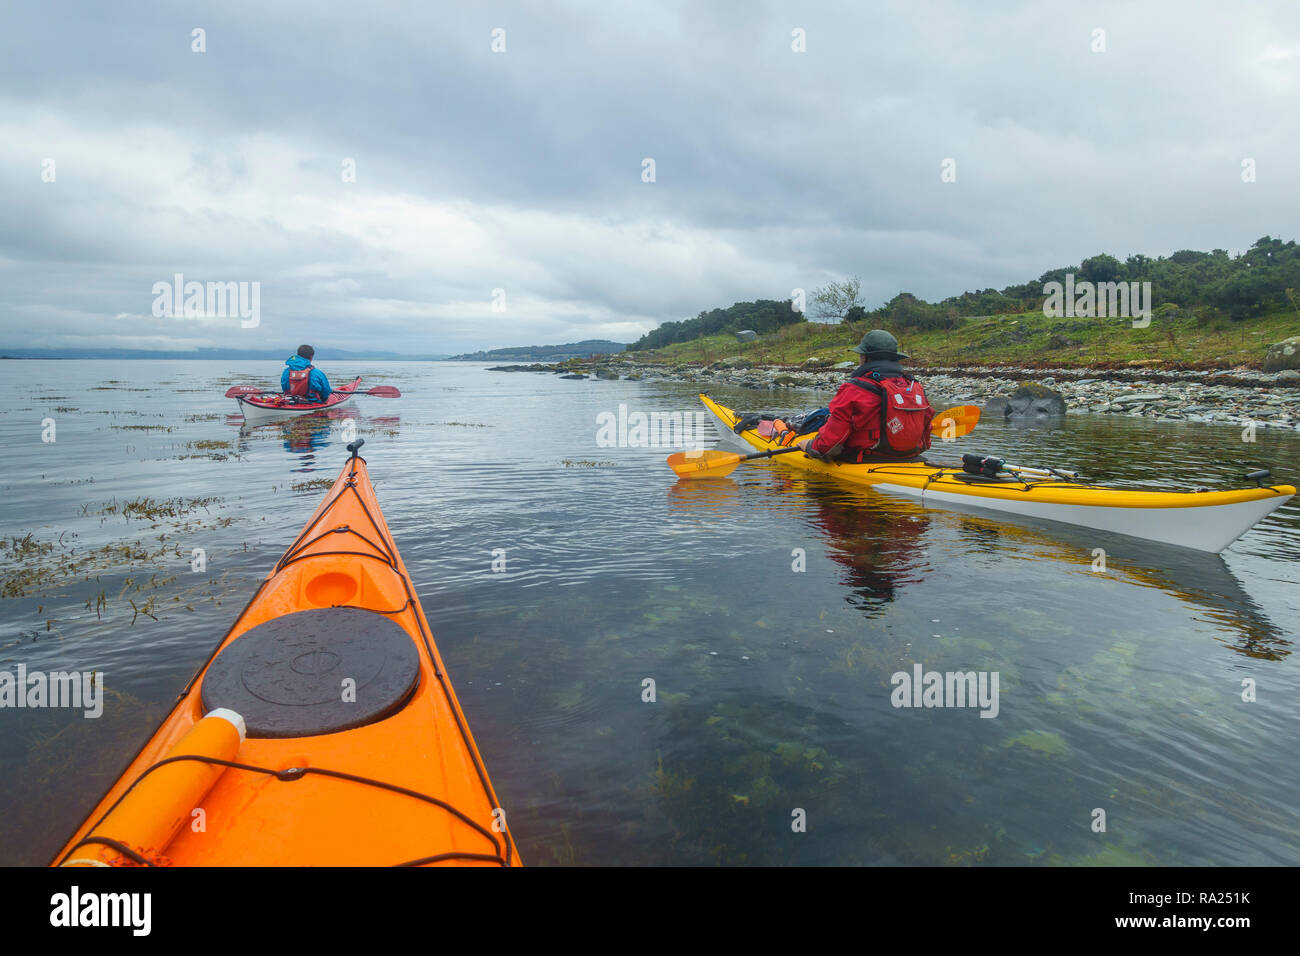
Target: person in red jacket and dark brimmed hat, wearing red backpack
879, 414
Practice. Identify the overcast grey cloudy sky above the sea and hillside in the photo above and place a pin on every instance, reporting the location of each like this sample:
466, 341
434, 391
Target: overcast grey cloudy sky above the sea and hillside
523, 170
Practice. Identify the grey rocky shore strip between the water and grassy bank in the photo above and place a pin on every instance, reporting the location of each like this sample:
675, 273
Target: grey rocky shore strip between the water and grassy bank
1230, 397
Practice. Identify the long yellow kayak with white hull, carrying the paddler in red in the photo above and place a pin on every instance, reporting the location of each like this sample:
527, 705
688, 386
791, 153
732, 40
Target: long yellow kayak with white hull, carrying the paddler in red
1199, 520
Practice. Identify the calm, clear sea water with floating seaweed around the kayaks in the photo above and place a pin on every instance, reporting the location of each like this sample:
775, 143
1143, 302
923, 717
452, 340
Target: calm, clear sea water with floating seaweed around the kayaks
1120, 691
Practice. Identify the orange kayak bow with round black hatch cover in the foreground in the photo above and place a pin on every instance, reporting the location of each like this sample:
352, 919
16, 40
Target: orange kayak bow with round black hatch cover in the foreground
323, 730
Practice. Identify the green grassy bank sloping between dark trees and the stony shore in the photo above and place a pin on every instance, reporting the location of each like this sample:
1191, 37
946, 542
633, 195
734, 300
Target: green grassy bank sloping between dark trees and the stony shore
1030, 340
